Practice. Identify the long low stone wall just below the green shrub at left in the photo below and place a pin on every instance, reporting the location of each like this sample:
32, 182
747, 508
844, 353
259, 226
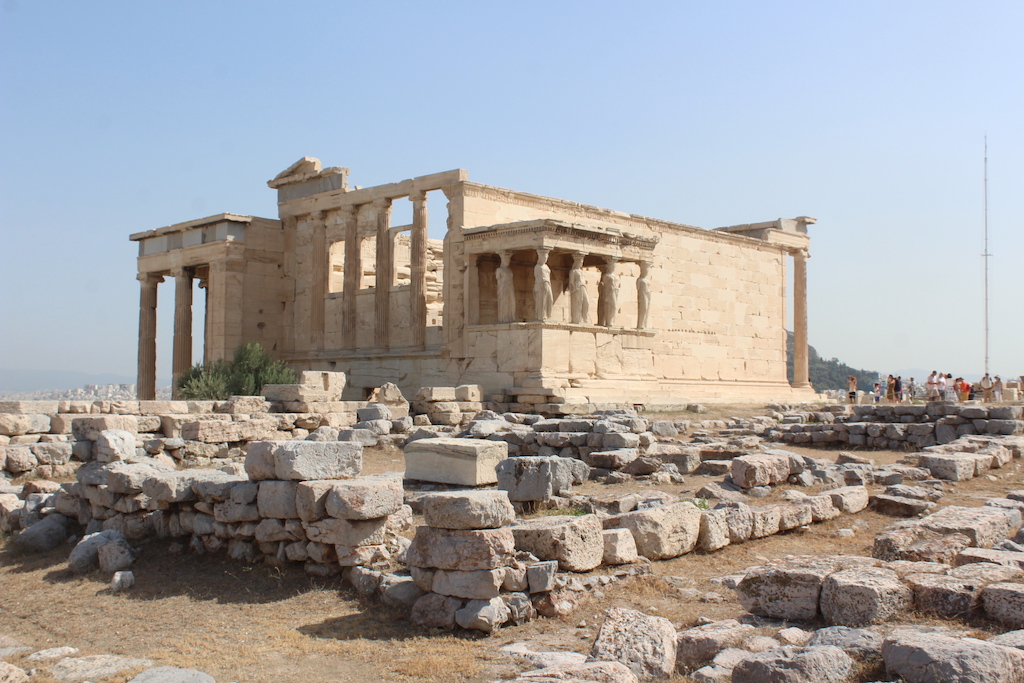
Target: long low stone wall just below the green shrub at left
52, 440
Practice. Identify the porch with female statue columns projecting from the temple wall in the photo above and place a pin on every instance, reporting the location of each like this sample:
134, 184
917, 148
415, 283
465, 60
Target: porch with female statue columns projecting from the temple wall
541, 280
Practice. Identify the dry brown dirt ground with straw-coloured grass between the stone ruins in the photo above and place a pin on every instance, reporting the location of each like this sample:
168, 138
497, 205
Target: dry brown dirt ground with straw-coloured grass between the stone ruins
241, 623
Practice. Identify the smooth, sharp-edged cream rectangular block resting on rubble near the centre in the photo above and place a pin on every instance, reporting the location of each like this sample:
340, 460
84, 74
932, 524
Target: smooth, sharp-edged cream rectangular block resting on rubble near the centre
457, 461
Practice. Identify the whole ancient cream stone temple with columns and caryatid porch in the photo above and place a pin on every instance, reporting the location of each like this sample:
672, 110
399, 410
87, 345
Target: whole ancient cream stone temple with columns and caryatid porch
538, 301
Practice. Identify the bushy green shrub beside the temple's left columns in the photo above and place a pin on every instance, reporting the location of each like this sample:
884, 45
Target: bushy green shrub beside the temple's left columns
245, 375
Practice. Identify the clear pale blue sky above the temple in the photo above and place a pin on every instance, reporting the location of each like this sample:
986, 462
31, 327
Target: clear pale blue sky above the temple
121, 117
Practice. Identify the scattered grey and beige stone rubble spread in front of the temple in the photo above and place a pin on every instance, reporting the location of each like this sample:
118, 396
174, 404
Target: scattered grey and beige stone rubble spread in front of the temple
474, 565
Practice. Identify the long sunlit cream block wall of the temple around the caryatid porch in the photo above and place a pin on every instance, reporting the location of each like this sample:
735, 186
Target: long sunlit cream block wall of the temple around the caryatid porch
717, 326
